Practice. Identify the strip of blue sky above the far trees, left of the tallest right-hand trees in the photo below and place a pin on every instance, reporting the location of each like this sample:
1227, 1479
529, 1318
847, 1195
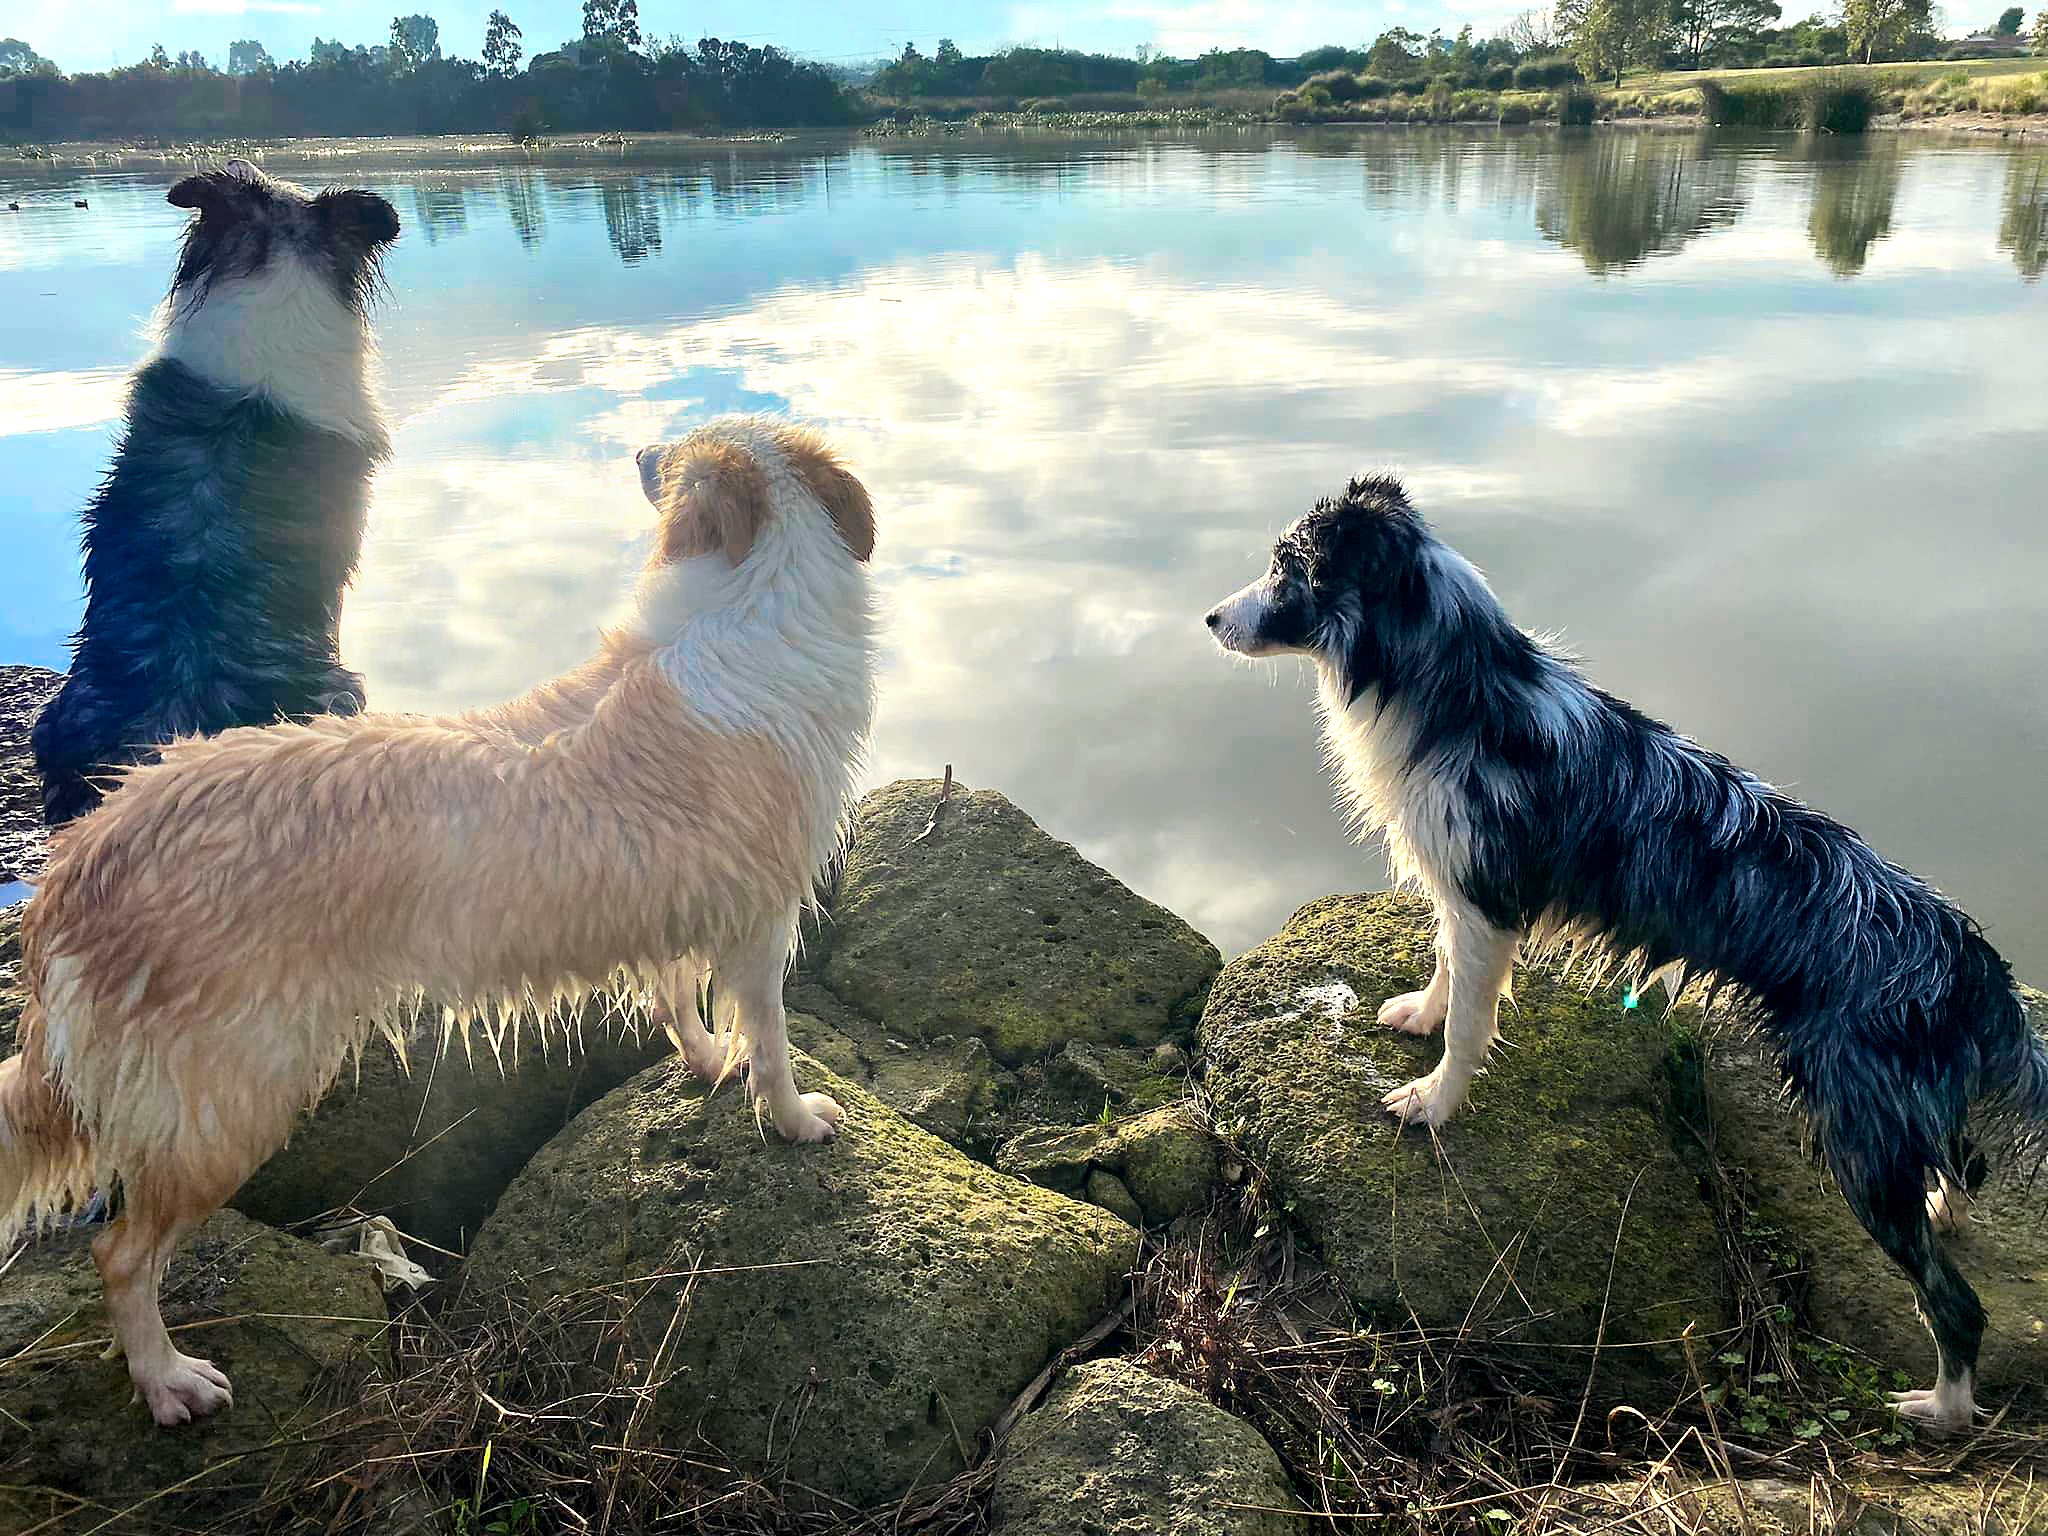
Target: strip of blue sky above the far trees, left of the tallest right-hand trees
95, 36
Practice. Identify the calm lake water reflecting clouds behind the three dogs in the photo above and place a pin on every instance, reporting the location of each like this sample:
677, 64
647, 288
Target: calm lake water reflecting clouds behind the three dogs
1758, 425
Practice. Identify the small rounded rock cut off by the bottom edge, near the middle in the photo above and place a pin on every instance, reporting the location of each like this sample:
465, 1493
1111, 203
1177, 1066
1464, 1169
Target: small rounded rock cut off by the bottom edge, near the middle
1117, 1451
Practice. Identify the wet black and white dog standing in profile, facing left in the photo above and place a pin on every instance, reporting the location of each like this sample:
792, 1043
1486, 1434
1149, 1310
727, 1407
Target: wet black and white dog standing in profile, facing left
1531, 804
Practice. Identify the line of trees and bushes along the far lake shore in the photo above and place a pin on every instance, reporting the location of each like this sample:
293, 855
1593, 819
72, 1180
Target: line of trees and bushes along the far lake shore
613, 77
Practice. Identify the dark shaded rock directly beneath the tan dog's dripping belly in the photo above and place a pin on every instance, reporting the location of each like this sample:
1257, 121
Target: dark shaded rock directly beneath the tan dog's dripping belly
435, 1148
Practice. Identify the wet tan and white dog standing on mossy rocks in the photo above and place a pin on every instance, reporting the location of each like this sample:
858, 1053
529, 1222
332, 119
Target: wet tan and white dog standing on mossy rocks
216, 941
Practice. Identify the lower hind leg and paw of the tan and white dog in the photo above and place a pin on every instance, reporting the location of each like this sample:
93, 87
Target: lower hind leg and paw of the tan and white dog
132, 1256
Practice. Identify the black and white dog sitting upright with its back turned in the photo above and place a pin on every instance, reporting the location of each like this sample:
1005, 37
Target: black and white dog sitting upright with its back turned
222, 540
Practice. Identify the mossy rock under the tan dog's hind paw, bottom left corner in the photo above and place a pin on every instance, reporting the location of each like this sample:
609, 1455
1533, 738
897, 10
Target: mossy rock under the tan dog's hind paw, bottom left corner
77, 1445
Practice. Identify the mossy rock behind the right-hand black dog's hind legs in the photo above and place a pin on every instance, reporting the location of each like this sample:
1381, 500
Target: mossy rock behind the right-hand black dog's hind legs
1850, 1293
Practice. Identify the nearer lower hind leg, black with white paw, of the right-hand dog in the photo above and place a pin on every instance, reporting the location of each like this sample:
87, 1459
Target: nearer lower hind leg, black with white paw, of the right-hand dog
1887, 1193
